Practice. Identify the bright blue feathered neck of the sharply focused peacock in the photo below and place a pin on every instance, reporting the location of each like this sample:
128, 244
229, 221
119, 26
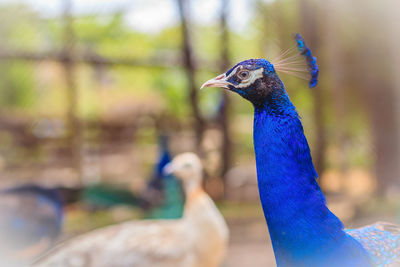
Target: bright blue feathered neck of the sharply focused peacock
304, 232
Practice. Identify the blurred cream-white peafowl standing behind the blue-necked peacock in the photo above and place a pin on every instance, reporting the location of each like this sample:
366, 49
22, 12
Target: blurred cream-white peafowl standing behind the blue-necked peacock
198, 239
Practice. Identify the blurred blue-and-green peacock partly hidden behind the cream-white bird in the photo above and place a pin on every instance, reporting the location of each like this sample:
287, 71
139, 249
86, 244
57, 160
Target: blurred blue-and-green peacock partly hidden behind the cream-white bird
162, 197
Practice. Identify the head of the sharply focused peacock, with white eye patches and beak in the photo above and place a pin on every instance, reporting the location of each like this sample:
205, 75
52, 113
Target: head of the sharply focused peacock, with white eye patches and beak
253, 79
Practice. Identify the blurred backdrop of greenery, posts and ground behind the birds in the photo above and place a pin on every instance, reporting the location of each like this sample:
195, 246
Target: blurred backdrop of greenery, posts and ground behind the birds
88, 87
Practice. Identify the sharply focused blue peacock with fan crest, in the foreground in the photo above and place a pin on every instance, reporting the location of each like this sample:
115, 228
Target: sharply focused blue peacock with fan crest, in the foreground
303, 231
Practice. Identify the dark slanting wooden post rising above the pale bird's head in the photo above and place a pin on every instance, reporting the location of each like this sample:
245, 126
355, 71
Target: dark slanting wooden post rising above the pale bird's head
189, 64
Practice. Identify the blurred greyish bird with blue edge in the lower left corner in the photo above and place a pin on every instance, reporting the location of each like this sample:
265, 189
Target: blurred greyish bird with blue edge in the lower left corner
30, 222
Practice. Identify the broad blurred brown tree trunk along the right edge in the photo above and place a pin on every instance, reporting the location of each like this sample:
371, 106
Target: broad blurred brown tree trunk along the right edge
377, 75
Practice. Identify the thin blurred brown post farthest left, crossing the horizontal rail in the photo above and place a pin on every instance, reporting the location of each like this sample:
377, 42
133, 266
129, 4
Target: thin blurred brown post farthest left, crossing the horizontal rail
74, 127
